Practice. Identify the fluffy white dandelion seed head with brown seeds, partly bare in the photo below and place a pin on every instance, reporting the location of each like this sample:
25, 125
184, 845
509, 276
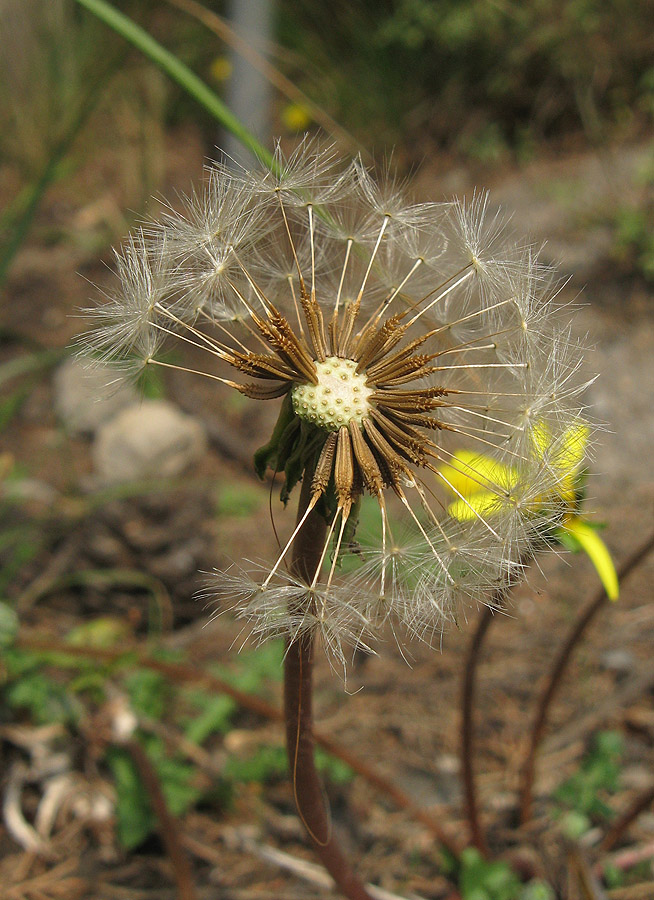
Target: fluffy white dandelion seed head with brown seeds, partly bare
405, 343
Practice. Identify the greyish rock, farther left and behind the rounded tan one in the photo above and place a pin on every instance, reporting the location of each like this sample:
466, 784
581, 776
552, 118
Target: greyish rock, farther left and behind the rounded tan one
86, 395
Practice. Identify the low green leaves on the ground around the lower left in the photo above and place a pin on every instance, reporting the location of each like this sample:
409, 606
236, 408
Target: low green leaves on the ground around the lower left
34, 686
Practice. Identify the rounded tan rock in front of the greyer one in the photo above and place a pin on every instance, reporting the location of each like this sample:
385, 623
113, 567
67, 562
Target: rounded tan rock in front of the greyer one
152, 439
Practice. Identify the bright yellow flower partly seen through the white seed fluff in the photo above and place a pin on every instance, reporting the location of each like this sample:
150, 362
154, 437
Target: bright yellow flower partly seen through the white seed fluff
480, 482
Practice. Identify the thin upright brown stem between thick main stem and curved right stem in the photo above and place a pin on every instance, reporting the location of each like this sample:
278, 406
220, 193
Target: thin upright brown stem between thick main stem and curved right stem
467, 748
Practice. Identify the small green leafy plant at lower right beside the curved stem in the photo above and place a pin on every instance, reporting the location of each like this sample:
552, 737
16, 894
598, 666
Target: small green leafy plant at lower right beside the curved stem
582, 795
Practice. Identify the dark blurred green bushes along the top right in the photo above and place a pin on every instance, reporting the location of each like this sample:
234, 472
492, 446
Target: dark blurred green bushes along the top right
483, 75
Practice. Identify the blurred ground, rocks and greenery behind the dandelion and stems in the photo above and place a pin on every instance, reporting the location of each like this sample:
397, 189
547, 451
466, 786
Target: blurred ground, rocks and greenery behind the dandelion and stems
103, 541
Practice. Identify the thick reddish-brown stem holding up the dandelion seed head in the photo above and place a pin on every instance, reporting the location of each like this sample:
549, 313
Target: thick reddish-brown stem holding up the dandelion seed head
298, 665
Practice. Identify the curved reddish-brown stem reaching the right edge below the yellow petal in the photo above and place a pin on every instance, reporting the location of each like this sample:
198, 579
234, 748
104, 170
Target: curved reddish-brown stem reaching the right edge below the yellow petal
555, 677
